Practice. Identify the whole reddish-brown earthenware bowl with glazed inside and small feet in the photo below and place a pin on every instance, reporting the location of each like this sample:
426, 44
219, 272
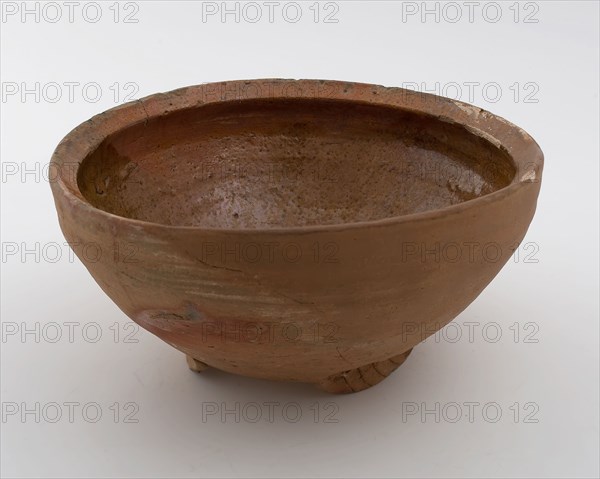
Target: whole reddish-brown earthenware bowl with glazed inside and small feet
295, 230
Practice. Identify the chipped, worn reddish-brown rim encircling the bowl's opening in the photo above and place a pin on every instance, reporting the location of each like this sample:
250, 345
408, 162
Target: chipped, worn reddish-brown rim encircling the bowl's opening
523, 150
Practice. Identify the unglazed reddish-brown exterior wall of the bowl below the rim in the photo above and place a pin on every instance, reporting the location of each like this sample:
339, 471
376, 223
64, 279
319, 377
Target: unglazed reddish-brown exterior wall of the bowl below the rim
299, 305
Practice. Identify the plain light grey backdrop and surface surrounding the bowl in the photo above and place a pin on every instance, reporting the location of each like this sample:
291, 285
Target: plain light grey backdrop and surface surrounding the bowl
548, 294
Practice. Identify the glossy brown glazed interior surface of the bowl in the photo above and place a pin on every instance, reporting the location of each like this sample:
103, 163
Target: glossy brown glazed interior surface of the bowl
285, 163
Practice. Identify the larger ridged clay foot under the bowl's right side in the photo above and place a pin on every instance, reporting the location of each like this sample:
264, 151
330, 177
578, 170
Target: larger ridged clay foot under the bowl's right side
362, 378
